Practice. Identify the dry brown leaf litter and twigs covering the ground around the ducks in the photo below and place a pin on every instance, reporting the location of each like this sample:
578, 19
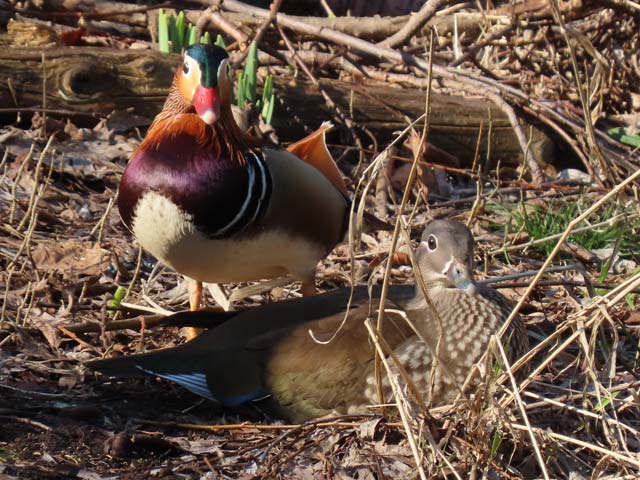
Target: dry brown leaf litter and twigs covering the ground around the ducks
64, 253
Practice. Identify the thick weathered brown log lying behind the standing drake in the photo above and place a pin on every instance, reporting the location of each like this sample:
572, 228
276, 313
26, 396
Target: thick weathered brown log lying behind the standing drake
102, 80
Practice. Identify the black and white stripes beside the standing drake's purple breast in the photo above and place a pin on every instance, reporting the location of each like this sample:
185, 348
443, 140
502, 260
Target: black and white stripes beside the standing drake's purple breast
259, 185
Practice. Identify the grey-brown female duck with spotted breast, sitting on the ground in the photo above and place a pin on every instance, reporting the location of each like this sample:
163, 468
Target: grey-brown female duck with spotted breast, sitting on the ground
268, 351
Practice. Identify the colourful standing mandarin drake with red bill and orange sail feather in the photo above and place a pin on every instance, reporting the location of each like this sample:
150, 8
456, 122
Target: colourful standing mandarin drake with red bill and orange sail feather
218, 205
